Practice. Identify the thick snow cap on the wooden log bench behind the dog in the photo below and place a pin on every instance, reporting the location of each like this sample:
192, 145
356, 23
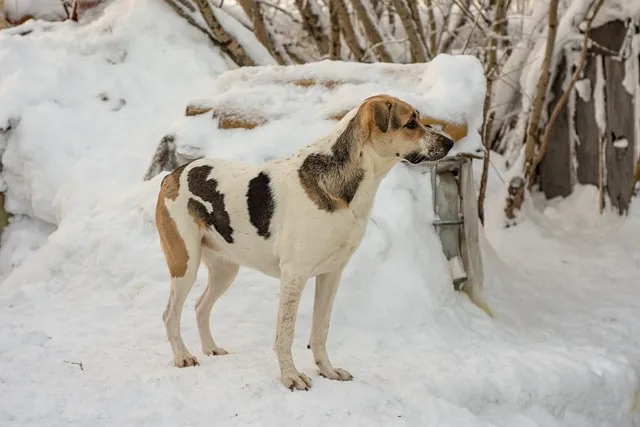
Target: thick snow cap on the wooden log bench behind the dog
449, 88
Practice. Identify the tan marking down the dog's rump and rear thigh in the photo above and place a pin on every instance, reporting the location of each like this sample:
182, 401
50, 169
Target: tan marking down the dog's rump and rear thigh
173, 246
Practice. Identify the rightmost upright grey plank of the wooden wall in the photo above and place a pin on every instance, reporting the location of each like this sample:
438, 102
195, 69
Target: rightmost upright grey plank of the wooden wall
620, 160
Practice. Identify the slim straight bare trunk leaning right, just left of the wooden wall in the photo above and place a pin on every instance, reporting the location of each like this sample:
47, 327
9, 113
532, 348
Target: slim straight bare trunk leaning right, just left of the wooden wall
533, 129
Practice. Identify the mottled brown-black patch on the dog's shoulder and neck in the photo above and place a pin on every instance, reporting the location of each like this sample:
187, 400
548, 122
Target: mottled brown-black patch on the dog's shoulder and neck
340, 178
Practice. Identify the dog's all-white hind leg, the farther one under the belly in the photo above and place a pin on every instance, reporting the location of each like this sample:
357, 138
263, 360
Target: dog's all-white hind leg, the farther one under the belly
221, 275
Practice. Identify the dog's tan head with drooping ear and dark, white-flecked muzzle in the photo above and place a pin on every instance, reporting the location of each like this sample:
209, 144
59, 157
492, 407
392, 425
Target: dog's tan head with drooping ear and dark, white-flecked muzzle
394, 130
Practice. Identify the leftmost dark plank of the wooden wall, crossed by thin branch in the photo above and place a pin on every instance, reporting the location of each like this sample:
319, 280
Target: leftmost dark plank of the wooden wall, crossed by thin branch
556, 167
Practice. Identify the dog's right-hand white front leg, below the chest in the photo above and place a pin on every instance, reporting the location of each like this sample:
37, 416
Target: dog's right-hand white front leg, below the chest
326, 288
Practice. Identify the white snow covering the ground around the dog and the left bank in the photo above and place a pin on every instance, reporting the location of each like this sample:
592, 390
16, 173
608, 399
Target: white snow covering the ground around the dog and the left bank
83, 278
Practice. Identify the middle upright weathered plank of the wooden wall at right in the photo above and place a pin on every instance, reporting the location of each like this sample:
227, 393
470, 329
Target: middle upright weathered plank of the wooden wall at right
587, 130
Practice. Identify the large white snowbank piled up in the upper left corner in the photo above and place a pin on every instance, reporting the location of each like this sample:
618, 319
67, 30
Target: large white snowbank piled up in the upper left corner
87, 95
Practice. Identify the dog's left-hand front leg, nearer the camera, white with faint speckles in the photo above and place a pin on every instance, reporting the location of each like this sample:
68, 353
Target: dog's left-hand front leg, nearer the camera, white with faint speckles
291, 288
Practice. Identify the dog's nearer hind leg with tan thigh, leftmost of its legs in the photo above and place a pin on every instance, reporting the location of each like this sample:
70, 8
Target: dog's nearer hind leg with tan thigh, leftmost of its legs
180, 238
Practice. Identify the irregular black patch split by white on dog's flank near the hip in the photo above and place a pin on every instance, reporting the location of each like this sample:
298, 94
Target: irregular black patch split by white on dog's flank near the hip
207, 189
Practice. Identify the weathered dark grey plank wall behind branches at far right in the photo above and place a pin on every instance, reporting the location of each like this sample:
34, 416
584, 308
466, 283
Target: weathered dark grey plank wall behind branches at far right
557, 171
